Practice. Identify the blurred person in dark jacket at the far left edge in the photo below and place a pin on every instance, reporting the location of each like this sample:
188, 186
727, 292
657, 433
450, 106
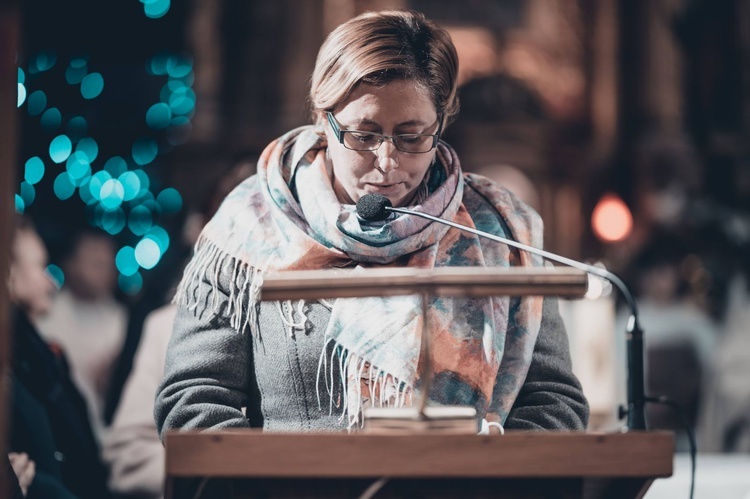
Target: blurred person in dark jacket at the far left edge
48, 418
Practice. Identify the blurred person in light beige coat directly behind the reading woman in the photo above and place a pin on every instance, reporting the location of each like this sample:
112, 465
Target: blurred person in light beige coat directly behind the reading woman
132, 447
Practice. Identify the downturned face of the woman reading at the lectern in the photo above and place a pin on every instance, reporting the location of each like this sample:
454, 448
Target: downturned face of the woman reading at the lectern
397, 108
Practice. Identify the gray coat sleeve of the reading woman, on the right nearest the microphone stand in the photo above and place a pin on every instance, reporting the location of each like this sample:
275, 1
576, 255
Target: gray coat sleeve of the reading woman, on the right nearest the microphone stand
551, 397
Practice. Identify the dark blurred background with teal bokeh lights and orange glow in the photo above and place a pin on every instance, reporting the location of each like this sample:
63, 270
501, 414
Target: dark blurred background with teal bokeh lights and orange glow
625, 123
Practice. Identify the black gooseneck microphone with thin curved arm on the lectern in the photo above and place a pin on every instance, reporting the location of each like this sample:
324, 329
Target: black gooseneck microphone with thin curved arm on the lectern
375, 207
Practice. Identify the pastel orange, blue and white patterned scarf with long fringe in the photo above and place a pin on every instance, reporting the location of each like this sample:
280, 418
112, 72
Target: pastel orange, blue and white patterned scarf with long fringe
287, 217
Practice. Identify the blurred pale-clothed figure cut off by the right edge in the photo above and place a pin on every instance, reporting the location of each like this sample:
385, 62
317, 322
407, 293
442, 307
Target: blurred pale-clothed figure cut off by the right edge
724, 424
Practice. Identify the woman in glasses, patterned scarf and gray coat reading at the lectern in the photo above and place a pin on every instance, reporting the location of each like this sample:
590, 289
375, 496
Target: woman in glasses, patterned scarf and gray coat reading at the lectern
383, 89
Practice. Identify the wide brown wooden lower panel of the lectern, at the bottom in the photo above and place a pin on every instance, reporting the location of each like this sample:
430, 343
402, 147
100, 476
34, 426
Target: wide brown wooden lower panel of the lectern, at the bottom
518, 464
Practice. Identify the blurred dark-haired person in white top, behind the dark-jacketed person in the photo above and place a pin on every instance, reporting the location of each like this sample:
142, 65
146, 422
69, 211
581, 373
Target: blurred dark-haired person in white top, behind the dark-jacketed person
86, 321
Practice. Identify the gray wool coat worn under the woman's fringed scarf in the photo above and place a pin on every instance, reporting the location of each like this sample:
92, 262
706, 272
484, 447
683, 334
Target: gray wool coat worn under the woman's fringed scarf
213, 373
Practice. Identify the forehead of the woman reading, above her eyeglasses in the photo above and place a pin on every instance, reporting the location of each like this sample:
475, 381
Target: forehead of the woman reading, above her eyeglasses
400, 100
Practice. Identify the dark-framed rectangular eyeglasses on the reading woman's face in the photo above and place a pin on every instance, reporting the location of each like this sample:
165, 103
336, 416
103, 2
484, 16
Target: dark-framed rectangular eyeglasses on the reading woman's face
358, 140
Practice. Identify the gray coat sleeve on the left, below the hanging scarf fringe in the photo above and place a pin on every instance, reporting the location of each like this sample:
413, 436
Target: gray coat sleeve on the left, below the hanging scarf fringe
207, 366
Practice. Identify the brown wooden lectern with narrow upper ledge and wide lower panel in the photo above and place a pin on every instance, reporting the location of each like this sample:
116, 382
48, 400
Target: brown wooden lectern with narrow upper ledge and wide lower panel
254, 464
